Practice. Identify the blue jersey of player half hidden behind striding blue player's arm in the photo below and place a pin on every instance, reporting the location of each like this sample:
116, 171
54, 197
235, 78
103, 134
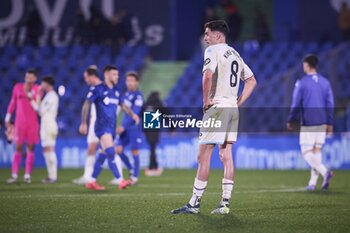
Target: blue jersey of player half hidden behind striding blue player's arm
134, 100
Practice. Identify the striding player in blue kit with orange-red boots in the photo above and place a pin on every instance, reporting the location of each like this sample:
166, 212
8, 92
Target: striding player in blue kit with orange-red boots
106, 98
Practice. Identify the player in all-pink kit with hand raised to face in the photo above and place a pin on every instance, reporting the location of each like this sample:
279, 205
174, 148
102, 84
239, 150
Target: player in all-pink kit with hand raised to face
26, 129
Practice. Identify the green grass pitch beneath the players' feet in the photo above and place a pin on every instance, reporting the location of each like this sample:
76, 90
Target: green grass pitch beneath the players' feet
264, 201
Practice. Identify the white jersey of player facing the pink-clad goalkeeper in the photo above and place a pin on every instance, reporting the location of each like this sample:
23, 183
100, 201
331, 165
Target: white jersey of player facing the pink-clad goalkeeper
48, 109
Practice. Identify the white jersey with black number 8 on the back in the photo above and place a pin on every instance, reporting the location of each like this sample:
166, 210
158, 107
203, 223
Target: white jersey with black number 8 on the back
228, 68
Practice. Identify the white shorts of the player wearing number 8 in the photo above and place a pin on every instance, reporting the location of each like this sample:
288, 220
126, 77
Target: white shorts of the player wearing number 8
227, 132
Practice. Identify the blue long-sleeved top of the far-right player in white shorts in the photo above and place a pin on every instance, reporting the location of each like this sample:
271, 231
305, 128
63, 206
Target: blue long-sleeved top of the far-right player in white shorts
312, 96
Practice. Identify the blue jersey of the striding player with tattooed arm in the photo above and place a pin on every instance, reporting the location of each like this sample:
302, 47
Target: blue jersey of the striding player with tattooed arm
106, 101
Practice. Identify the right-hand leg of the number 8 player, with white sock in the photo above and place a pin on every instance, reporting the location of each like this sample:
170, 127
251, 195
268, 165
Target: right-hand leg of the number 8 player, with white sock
225, 152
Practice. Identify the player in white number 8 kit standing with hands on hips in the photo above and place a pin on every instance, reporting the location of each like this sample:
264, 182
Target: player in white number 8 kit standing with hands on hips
222, 71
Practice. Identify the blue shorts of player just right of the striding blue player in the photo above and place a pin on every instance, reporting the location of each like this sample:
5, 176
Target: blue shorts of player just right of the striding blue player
131, 136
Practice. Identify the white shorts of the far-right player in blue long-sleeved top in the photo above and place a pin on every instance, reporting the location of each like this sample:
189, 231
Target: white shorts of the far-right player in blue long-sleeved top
313, 136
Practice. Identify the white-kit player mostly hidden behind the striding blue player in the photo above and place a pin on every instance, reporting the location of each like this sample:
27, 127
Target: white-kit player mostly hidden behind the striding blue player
91, 78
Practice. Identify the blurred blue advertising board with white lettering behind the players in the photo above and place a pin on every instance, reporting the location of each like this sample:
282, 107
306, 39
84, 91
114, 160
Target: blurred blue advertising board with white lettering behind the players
262, 151
